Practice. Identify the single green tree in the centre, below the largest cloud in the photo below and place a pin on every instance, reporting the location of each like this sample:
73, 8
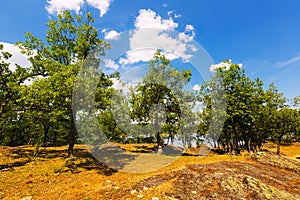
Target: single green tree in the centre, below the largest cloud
159, 98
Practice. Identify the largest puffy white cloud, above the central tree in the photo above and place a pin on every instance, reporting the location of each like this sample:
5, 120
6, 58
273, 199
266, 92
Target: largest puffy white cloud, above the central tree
151, 34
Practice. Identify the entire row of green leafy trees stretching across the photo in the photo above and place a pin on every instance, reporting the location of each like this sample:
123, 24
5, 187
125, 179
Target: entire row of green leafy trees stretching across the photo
42, 112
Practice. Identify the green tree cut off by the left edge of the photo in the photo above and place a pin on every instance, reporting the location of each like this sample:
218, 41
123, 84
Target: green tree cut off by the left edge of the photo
11, 100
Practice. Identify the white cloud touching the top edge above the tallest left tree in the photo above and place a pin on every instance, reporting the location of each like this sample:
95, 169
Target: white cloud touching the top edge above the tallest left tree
55, 6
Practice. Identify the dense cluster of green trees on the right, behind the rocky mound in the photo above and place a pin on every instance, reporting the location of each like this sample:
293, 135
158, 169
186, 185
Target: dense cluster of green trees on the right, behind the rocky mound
251, 112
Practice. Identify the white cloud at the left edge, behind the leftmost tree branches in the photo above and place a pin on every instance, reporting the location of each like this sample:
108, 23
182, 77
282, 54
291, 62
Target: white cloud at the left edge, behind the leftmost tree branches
17, 56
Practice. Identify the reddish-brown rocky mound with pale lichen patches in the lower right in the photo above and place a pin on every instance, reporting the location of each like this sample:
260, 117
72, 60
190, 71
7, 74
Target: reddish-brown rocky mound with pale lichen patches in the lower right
228, 180
